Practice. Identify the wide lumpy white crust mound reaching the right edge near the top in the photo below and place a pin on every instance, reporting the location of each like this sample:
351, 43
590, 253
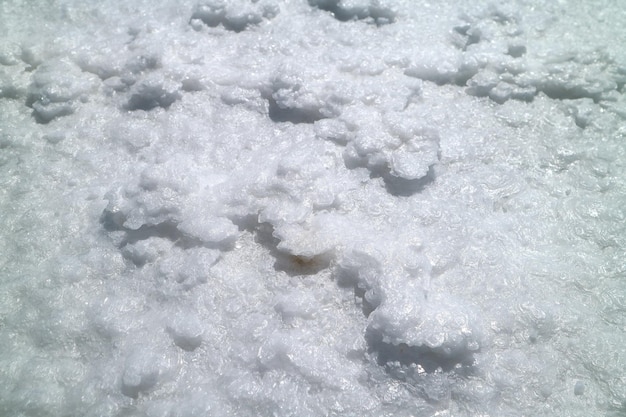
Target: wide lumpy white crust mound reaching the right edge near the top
518, 73
